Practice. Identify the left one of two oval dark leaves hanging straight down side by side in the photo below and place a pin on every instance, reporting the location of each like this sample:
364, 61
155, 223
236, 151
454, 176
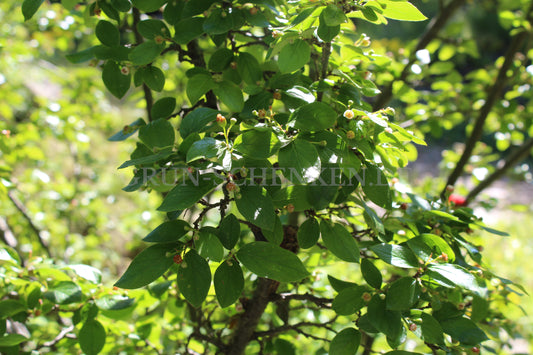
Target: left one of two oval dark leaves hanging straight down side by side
194, 278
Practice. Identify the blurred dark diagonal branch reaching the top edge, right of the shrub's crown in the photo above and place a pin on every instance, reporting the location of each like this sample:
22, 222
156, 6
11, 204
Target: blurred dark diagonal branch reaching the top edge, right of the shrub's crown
434, 27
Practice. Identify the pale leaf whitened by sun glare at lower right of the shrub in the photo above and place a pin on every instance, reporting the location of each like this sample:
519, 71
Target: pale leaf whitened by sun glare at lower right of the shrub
450, 275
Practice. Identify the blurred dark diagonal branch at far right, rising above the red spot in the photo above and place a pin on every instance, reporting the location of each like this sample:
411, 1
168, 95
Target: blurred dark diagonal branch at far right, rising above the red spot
492, 98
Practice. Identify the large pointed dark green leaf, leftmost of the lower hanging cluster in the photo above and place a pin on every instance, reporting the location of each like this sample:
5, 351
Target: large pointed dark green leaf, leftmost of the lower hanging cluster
146, 267
